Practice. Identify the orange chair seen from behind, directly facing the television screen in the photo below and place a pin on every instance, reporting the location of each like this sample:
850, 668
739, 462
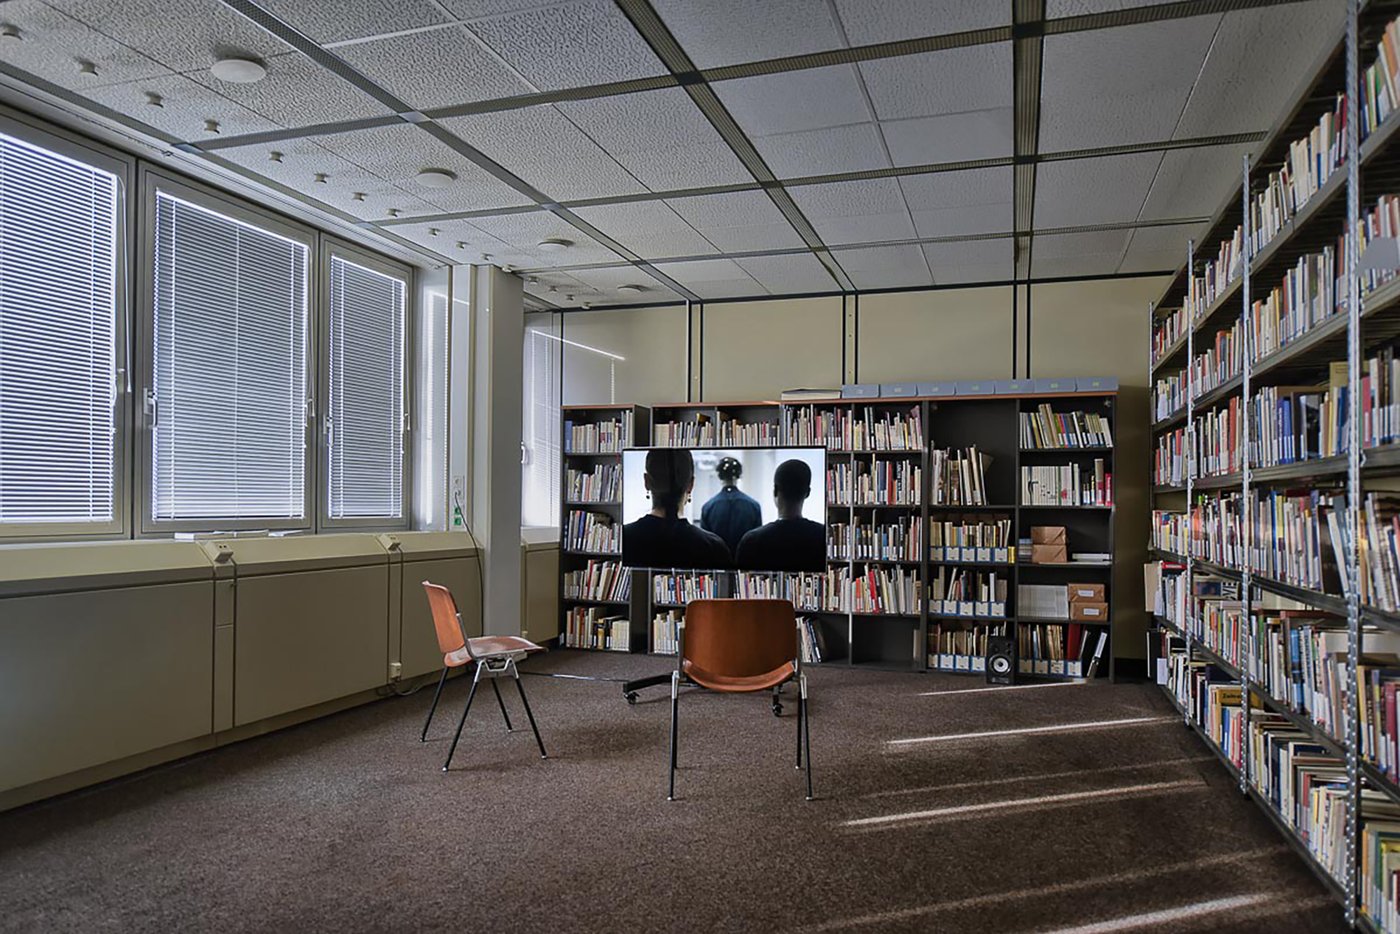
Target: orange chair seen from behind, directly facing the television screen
741, 646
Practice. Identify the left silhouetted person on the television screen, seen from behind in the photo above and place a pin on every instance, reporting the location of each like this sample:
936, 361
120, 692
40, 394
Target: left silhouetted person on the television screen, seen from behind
663, 538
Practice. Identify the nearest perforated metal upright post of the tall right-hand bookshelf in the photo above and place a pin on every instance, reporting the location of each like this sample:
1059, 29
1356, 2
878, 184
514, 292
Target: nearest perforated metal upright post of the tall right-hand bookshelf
1353, 571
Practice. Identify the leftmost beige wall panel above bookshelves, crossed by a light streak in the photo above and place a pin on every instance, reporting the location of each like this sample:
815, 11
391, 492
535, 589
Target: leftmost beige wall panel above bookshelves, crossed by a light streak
653, 345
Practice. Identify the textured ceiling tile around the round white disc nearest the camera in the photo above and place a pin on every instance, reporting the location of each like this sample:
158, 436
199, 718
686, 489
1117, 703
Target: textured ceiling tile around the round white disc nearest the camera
297, 93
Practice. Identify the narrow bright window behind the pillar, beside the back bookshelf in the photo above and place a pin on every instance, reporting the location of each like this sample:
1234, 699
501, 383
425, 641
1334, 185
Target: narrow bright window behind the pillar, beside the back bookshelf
541, 463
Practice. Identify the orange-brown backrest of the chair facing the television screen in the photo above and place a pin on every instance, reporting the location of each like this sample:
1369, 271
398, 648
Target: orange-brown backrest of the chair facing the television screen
740, 638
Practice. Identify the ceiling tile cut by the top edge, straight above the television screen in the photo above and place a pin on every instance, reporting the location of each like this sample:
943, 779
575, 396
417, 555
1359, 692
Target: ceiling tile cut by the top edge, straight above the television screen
731, 32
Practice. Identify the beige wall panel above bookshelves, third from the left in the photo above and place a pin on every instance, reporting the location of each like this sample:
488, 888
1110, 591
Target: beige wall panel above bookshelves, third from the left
960, 334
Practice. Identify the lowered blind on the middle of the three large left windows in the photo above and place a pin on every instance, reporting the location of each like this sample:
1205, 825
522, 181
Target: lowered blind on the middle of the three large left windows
229, 387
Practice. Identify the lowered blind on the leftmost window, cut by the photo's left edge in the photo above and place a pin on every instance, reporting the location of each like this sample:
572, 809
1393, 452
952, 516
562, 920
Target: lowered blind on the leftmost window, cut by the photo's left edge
58, 338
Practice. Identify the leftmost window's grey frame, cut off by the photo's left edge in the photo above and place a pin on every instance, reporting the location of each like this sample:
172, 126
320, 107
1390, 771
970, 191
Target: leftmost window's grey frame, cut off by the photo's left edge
124, 169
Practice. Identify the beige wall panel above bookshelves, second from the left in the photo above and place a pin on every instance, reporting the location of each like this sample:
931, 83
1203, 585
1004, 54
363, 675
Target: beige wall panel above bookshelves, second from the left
757, 349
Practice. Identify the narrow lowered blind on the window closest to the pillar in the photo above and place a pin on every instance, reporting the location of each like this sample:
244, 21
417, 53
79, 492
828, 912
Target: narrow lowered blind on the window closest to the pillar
366, 393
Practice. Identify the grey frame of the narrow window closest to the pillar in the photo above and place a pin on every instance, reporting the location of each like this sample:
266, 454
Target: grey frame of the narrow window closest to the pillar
335, 247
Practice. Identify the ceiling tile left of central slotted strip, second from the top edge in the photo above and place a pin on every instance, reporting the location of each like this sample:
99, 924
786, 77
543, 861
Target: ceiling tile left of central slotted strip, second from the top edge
950, 82
